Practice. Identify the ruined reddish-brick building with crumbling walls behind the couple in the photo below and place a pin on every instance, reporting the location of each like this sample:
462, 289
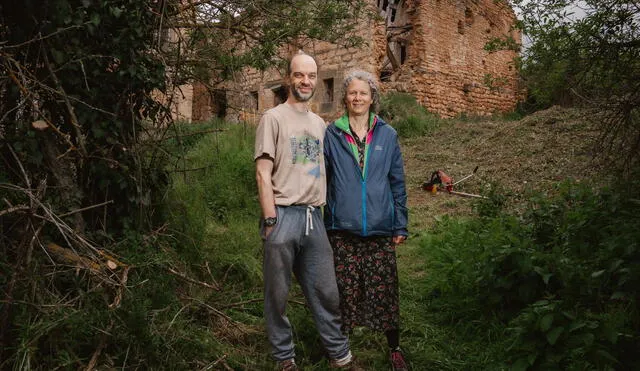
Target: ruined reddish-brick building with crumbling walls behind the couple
432, 49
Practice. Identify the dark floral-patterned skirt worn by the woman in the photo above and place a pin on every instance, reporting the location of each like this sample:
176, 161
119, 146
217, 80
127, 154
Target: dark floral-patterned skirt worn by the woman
367, 278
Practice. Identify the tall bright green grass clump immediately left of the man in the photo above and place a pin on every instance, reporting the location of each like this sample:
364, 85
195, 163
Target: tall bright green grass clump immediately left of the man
214, 207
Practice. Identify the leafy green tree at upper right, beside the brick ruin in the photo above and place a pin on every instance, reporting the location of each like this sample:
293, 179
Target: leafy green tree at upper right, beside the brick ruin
587, 53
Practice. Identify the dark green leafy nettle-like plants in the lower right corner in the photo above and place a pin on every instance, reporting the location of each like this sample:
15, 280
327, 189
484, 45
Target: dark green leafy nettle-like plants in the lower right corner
568, 289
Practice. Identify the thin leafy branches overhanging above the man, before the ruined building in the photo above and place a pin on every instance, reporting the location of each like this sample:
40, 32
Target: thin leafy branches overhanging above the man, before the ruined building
232, 34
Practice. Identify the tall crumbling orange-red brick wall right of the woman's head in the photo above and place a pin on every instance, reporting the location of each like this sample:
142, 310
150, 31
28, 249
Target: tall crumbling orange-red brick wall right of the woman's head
447, 69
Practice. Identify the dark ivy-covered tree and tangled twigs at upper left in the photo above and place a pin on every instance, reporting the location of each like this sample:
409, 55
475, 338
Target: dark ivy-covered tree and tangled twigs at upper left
92, 74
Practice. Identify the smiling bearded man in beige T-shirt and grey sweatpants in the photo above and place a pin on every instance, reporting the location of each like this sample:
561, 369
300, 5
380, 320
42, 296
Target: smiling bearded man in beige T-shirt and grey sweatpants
290, 174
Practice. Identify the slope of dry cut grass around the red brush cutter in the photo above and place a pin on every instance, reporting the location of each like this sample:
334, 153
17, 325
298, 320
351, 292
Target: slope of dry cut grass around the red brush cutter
536, 152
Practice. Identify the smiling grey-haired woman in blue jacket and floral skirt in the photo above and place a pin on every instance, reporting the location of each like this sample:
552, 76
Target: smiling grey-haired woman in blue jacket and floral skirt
366, 213
